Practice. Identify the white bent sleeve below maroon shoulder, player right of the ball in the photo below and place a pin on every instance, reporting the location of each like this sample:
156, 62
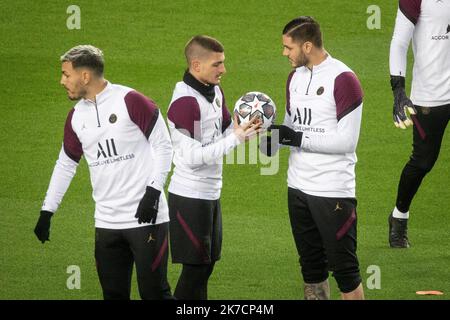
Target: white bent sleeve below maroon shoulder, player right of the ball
344, 140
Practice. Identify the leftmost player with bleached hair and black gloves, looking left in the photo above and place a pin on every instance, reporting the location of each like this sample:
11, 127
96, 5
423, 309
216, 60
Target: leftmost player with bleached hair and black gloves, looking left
127, 147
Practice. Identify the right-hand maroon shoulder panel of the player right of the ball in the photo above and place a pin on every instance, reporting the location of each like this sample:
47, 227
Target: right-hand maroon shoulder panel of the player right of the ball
347, 94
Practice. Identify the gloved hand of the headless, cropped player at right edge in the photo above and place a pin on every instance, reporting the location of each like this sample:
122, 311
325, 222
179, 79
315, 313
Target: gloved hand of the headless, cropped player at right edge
401, 103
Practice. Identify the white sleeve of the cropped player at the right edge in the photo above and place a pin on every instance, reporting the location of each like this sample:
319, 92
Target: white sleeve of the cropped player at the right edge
401, 38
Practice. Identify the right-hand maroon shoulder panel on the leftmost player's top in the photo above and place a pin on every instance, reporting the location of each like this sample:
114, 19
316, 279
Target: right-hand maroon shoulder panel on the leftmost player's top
143, 111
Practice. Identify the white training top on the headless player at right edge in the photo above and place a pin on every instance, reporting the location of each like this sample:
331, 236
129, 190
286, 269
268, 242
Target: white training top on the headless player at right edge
427, 23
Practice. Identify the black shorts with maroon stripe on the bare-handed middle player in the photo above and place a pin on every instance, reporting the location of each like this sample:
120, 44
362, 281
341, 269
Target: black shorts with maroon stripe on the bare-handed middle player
195, 230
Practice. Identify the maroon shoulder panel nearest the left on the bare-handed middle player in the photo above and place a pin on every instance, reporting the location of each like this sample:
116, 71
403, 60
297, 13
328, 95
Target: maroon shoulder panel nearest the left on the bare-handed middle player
185, 114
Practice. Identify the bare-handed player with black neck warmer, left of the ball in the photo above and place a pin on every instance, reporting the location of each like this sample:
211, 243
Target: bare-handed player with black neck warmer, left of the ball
202, 133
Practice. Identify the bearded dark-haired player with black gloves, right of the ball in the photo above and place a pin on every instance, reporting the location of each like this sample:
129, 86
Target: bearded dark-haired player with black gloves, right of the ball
321, 126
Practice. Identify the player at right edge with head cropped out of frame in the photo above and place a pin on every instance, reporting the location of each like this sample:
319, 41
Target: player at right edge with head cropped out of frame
427, 23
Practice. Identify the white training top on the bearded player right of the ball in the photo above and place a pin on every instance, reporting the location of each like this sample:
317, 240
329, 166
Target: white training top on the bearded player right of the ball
324, 103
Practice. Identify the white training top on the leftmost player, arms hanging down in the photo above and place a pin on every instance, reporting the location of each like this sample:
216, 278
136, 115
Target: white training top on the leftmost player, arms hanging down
127, 147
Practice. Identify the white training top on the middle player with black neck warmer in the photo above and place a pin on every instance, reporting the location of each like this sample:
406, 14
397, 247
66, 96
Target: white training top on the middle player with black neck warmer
200, 140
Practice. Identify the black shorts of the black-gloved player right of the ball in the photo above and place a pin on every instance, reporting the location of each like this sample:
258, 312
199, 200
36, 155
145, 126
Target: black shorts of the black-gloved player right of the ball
324, 231
